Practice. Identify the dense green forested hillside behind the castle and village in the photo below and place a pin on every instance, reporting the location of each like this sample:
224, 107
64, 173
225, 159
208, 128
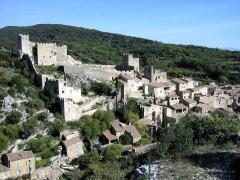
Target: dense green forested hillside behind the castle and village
94, 46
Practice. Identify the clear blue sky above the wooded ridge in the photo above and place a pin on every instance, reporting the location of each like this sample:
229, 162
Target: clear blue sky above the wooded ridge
212, 23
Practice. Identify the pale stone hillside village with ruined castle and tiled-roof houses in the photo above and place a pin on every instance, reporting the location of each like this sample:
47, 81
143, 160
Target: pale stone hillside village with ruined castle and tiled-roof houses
161, 101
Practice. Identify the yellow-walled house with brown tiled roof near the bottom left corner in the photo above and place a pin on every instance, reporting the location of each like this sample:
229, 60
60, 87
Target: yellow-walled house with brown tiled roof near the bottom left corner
20, 163
